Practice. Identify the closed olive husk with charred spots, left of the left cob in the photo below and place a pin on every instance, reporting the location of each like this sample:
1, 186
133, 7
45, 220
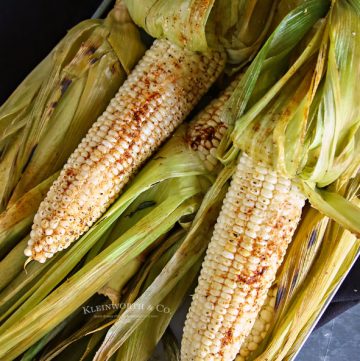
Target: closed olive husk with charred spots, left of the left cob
45, 118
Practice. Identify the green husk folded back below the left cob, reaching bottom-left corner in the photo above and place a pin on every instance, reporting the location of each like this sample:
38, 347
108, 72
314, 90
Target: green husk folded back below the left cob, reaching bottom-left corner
173, 175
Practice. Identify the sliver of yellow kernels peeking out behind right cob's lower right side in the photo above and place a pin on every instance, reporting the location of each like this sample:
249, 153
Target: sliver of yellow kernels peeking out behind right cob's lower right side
261, 326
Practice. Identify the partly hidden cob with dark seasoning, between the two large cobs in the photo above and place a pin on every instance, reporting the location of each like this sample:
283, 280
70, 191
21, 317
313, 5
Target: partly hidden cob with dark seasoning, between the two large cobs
207, 129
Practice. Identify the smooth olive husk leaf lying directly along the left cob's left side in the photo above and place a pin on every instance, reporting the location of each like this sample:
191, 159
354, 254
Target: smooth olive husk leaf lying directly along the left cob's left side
71, 118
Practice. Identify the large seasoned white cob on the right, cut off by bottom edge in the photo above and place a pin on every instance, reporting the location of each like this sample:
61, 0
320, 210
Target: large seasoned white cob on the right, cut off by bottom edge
258, 218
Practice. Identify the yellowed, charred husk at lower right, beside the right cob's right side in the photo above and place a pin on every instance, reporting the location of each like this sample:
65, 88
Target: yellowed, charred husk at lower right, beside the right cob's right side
300, 301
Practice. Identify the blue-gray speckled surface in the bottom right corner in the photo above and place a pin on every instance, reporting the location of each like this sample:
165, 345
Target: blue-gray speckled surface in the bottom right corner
338, 340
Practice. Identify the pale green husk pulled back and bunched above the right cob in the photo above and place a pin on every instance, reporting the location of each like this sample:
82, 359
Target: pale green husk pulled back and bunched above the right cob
308, 131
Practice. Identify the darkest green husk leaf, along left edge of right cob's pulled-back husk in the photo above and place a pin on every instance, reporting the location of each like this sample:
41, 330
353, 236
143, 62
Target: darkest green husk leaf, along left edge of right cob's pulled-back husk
268, 73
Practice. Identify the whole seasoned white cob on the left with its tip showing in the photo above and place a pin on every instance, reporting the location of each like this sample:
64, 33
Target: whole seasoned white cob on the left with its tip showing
156, 97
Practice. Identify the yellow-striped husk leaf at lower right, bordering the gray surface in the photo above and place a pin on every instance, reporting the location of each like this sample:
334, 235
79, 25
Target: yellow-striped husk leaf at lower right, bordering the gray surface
338, 252
